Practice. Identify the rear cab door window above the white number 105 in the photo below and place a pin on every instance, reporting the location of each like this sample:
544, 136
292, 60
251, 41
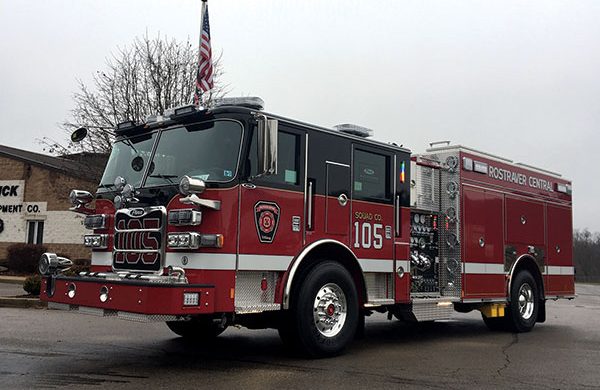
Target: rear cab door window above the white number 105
371, 177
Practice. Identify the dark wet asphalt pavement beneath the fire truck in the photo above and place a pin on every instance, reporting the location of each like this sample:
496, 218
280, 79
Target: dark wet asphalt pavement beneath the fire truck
52, 349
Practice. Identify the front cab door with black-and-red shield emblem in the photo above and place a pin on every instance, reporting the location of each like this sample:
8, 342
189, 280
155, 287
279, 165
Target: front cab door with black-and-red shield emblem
271, 226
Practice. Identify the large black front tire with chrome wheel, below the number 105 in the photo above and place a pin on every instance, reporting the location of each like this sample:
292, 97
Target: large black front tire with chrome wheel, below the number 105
324, 313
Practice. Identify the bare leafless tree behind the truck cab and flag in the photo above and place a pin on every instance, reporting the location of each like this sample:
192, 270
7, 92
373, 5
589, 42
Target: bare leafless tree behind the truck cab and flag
145, 78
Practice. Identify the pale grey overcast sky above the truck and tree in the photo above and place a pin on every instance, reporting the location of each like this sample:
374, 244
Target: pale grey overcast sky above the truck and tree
519, 79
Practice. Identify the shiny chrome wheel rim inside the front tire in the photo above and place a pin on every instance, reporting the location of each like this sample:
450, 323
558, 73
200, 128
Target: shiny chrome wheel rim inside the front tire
330, 309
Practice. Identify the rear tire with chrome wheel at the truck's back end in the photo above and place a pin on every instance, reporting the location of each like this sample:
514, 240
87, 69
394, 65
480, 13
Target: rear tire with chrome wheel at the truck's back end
522, 311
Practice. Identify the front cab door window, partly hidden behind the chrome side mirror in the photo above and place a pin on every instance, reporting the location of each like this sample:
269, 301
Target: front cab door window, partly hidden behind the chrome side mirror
288, 159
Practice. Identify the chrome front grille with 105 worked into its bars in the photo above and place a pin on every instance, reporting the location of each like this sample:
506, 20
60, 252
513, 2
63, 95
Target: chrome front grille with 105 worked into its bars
139, 239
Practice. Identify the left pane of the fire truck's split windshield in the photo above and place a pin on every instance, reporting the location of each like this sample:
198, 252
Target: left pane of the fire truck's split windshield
127, 159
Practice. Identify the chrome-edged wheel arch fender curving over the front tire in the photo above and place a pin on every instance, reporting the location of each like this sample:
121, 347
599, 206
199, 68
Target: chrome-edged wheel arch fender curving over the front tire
319, 251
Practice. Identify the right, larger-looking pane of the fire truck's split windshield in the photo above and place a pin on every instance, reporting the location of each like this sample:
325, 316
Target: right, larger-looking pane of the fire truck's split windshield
207, 151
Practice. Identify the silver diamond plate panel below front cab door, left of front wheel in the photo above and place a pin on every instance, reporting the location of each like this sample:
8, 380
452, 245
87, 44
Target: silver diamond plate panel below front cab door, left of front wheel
249, 295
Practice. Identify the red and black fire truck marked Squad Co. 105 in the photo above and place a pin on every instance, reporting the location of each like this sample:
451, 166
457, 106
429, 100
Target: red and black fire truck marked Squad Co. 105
206, 218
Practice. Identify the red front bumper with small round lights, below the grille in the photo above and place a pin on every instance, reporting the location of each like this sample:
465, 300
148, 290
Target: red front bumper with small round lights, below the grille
129, 299
